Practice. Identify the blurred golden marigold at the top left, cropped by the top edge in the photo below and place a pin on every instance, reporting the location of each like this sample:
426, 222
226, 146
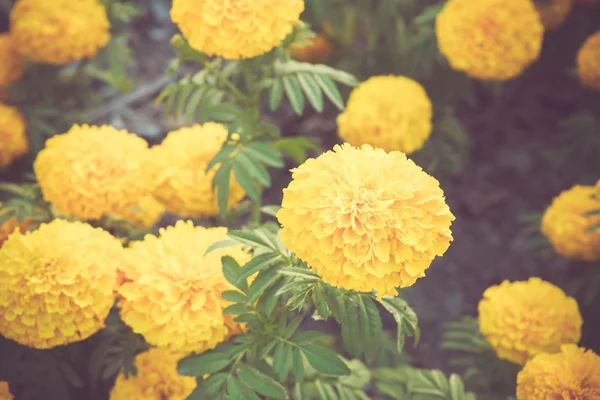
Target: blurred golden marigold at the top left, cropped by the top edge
59, 31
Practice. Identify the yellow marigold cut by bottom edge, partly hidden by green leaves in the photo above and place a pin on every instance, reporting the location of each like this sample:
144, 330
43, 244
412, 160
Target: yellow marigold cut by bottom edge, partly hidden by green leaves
156, 378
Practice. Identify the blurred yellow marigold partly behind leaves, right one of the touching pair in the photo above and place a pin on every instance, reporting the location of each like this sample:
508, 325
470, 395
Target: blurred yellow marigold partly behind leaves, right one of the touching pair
180, 162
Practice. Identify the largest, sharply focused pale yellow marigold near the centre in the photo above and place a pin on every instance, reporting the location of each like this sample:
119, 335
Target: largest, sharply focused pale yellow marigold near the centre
365, 219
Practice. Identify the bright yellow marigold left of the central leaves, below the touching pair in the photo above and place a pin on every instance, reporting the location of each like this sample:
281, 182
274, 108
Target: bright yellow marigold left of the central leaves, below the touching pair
172, 290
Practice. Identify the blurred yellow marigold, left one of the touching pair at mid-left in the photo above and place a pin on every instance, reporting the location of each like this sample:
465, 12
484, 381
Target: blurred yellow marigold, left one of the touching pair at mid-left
92, 171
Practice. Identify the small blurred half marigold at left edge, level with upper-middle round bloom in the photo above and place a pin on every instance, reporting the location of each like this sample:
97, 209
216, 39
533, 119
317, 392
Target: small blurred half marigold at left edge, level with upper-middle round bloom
13, 139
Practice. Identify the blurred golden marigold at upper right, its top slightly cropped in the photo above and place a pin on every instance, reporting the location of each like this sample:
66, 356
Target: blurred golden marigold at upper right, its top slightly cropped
490, 39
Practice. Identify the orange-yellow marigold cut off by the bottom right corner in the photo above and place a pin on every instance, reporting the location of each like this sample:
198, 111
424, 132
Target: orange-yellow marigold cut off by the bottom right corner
572, 374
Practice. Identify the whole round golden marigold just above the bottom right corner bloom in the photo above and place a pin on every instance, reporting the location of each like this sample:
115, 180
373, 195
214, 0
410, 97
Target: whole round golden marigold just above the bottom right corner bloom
526, 318
